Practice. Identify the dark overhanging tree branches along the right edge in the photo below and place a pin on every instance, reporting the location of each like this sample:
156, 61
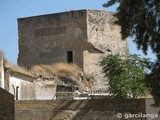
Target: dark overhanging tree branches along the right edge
140, 19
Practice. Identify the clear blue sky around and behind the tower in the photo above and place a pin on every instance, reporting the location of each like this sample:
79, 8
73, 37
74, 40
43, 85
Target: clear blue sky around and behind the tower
10, 10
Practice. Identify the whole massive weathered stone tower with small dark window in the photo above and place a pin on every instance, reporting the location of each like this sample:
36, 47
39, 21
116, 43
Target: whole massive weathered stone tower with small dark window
82, 37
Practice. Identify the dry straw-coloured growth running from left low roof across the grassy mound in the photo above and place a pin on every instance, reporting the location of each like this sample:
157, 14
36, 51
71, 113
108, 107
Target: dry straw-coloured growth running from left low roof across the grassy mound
58, 71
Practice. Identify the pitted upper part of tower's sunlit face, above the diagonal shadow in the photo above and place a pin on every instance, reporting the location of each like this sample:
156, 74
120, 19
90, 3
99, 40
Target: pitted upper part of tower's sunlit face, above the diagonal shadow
104, 34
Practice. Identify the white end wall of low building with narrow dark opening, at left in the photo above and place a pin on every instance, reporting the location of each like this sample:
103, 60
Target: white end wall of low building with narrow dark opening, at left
21, 86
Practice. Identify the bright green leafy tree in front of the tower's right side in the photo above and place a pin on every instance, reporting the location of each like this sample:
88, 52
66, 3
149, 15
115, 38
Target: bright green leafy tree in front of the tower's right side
125, 76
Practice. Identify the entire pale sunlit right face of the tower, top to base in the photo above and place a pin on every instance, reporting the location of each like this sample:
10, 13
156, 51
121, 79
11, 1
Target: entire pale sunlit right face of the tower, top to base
105, 36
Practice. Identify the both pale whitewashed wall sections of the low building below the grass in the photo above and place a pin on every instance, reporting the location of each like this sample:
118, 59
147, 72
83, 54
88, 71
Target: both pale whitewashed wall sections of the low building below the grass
31, 90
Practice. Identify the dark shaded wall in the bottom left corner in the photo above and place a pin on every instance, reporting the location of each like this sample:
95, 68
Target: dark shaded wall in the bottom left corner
6, 105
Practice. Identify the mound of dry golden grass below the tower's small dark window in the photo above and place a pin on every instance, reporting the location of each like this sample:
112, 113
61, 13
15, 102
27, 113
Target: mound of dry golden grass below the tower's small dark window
62, 70
